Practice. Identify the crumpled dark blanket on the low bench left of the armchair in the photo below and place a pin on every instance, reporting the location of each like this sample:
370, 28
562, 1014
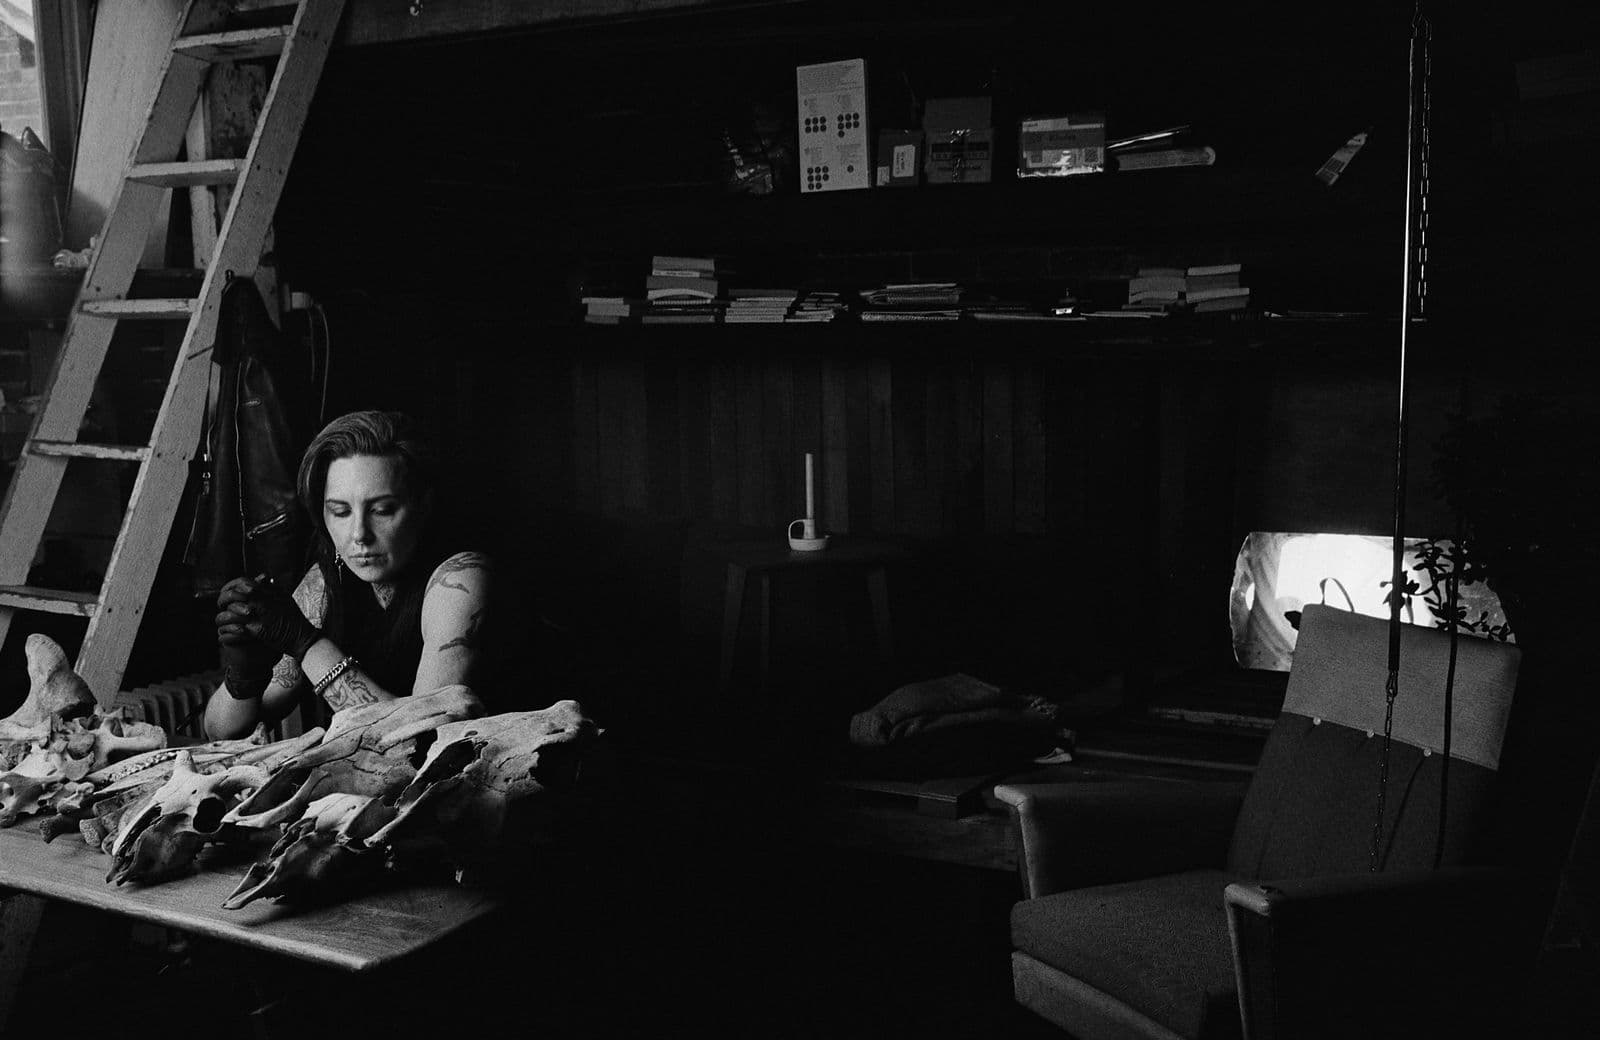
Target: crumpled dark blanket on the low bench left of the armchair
946, 703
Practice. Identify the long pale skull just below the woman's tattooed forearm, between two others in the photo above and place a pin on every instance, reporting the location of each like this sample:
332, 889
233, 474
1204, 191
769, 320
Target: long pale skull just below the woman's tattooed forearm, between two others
367, 751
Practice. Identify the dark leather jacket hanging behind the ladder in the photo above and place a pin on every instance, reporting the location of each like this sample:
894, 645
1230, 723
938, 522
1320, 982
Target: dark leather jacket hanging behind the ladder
247, 521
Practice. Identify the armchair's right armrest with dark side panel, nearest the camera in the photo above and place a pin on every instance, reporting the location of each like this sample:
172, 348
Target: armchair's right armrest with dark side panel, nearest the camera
1398, 954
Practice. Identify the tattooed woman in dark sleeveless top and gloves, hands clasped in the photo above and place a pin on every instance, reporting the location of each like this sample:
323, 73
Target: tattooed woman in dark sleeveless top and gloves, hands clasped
383, 610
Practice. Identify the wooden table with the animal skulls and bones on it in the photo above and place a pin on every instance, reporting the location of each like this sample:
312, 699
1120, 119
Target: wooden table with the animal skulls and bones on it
359, 935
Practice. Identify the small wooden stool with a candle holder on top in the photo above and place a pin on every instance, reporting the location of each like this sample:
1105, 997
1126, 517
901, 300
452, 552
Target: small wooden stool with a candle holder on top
762, 559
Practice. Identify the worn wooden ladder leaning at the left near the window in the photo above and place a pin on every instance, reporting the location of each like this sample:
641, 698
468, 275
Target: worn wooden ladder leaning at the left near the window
103, 302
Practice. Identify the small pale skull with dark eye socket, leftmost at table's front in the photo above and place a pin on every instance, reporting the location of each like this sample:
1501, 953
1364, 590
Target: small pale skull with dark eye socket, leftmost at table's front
161, 838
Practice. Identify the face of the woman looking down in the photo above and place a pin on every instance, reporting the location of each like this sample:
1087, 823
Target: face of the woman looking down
374, 519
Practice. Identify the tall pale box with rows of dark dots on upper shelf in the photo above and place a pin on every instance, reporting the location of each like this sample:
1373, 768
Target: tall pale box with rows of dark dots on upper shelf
833, 121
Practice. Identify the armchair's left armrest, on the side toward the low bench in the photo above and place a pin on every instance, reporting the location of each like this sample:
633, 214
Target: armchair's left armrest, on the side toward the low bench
1095, 833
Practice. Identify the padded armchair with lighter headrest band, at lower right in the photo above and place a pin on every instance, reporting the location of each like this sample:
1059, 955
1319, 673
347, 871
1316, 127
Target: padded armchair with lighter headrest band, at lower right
1255, 913
